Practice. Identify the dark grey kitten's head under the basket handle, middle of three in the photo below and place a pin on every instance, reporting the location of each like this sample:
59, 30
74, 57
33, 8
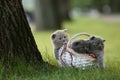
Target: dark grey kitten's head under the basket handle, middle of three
80, 46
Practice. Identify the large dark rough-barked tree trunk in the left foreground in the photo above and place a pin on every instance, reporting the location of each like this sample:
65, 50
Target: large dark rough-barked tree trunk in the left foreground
16, 39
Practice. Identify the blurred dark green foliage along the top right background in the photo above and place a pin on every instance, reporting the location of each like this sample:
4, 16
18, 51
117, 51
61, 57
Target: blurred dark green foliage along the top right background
97, 4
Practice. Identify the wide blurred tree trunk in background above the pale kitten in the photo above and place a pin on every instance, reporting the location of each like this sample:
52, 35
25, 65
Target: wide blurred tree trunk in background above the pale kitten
51, 13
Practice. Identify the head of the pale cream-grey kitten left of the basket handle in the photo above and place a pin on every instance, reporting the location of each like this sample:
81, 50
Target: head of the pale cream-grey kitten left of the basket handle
59, 38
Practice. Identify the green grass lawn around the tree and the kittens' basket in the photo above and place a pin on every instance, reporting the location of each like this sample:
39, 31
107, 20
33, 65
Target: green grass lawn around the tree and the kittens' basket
109, 31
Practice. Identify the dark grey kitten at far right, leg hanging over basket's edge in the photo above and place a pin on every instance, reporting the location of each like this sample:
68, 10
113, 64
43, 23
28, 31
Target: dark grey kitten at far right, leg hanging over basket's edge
96, 46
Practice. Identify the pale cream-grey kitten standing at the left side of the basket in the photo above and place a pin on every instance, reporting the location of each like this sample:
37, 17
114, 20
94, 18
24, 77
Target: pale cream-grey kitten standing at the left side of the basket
59, 38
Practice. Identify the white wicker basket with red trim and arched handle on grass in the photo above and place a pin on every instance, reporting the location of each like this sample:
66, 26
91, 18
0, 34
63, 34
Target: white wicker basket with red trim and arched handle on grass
69, 58
